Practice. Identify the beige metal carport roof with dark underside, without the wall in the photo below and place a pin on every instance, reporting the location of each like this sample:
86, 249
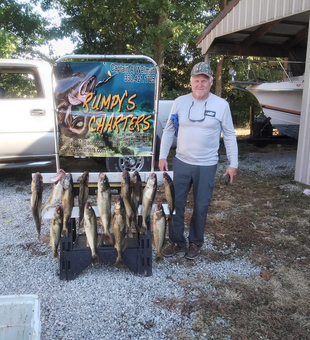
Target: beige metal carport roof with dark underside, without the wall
258, 28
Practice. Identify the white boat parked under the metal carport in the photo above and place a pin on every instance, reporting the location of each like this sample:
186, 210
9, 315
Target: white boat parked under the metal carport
280, 100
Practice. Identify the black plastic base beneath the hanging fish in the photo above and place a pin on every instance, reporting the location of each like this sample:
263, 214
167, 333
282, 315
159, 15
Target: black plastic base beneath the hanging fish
75, 256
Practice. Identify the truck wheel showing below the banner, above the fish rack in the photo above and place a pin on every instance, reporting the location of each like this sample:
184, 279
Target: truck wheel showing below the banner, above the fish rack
129, 163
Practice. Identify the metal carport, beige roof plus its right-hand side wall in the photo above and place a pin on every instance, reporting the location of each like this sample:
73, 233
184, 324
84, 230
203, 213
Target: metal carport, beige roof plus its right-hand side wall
267, 28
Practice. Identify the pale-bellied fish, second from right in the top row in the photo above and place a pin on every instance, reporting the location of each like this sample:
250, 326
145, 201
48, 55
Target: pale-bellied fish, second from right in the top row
148, 197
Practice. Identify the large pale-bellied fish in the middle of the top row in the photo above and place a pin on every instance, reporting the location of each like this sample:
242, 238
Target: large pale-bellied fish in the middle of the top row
104, 206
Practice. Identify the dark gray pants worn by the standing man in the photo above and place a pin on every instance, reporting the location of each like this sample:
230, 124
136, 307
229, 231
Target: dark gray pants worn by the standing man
202, 180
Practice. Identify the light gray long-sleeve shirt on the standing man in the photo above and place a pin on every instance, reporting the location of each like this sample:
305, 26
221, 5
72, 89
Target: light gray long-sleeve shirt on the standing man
200, 125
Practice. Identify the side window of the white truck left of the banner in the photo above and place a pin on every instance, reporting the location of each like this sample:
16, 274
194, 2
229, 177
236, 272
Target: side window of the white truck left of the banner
20, 84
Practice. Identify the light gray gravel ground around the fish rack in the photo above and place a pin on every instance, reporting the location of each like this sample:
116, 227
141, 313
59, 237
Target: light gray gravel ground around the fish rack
105, 302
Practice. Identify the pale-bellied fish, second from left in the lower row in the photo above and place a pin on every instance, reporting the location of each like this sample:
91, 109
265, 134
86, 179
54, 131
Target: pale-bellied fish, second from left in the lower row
90, 226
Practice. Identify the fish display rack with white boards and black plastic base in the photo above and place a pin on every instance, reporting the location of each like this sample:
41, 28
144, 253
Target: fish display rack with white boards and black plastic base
75, 256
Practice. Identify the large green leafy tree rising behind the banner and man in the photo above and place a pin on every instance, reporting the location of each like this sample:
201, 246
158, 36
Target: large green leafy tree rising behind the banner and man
164, 30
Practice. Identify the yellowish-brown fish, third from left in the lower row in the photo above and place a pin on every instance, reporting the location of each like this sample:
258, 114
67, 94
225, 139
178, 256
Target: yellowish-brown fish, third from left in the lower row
119, 230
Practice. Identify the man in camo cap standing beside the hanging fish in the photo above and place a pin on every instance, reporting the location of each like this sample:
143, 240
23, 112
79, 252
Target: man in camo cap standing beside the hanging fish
198, 119
